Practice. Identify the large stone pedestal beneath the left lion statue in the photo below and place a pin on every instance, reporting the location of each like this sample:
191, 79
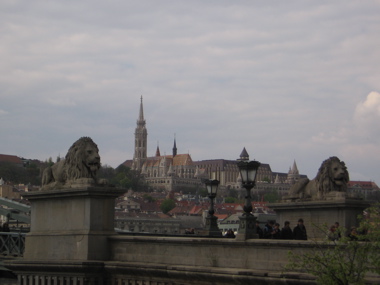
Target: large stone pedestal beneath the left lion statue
71, 224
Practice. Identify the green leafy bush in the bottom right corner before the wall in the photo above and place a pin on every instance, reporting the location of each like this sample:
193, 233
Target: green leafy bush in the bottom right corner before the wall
347, 260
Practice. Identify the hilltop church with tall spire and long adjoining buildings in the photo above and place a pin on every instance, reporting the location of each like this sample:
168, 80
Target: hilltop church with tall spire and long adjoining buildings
176, 172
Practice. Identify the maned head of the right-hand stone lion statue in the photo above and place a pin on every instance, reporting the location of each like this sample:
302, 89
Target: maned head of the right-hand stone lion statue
332, 176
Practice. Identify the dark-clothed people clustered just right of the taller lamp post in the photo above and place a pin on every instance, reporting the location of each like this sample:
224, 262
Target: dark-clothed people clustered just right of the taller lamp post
272, 231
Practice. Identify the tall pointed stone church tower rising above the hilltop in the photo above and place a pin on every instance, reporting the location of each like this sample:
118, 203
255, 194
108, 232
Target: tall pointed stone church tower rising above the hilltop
141, 135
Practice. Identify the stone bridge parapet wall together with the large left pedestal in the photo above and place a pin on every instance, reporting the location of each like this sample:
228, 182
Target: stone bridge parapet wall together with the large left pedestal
73, 242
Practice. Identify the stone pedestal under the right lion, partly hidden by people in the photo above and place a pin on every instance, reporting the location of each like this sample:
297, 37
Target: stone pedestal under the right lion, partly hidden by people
316, 214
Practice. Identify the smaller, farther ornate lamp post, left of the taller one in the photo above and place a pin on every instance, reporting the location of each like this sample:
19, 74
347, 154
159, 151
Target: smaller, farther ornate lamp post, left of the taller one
211, 221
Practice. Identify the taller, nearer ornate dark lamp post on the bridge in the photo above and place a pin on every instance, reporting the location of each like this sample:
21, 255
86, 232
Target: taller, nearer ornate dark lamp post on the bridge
248, 170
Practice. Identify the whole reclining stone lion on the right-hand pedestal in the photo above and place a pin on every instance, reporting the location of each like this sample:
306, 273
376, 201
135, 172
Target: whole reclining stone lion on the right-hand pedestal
331, 176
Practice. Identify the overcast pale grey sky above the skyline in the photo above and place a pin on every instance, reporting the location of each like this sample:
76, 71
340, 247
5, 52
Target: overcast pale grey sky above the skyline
287, 80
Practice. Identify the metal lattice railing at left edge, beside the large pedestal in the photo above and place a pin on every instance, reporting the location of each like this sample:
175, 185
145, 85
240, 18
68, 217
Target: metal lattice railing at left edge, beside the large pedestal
12, 243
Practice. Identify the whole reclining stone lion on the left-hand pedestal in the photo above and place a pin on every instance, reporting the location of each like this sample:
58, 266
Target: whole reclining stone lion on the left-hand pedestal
80, 166
